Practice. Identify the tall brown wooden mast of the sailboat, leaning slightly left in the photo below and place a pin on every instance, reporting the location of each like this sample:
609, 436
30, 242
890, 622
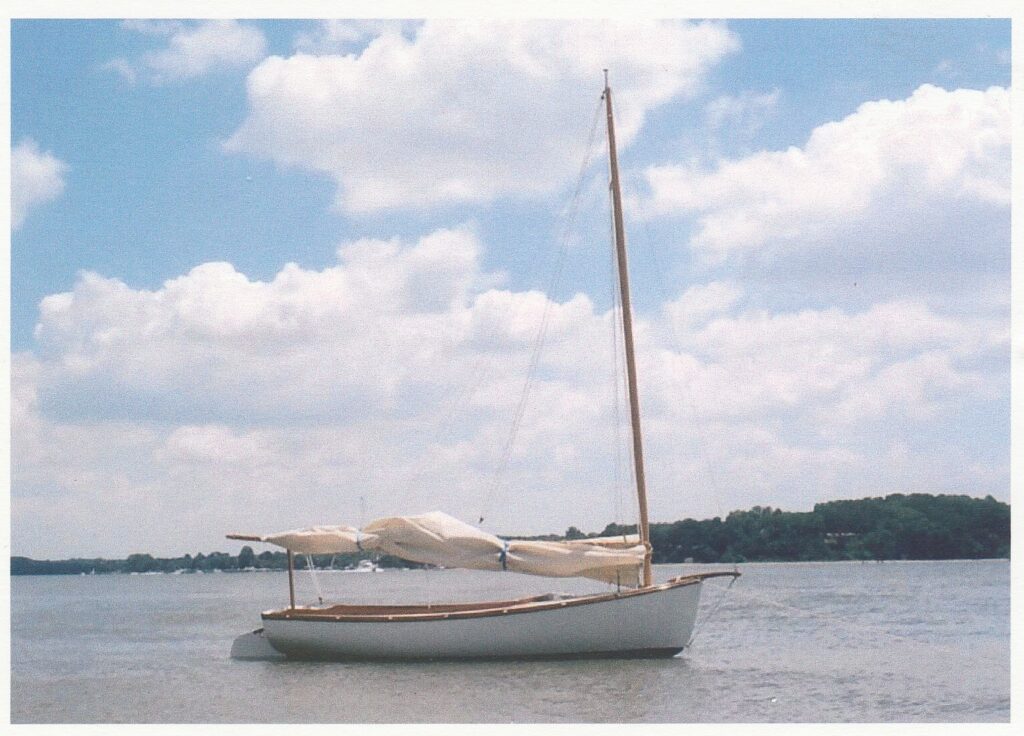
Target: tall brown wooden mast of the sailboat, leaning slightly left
631, 371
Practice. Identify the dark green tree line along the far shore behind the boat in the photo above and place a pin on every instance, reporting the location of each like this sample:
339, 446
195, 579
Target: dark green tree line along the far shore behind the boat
917, 527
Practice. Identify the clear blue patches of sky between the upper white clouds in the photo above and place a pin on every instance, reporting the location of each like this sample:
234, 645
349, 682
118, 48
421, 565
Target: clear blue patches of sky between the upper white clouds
156, 148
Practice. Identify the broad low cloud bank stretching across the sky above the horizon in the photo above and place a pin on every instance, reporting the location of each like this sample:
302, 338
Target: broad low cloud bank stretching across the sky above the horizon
394, 376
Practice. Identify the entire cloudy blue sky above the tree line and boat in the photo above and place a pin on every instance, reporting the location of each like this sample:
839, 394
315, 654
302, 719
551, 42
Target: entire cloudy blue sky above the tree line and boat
819, 220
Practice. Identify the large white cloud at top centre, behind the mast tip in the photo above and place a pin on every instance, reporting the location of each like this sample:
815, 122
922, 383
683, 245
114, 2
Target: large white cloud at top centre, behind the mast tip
465, 111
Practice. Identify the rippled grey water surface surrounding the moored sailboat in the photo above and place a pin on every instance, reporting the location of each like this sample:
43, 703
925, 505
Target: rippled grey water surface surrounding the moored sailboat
808, 642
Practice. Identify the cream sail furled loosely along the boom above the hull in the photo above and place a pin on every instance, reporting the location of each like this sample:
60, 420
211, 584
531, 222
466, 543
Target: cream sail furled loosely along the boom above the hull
438, 539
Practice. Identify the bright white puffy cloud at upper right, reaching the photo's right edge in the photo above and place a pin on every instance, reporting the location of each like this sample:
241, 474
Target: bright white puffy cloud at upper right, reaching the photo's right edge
936, 157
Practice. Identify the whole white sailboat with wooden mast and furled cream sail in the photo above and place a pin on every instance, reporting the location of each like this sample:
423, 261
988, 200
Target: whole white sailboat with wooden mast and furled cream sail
641, 619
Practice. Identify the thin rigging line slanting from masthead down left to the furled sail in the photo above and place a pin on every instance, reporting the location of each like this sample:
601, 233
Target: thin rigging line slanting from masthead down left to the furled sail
569, 217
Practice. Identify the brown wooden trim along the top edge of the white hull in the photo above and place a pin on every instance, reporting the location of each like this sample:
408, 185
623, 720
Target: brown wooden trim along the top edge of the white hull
429, 613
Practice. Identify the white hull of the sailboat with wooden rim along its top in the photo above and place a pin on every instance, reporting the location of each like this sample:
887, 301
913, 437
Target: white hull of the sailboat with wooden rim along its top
648, 623
